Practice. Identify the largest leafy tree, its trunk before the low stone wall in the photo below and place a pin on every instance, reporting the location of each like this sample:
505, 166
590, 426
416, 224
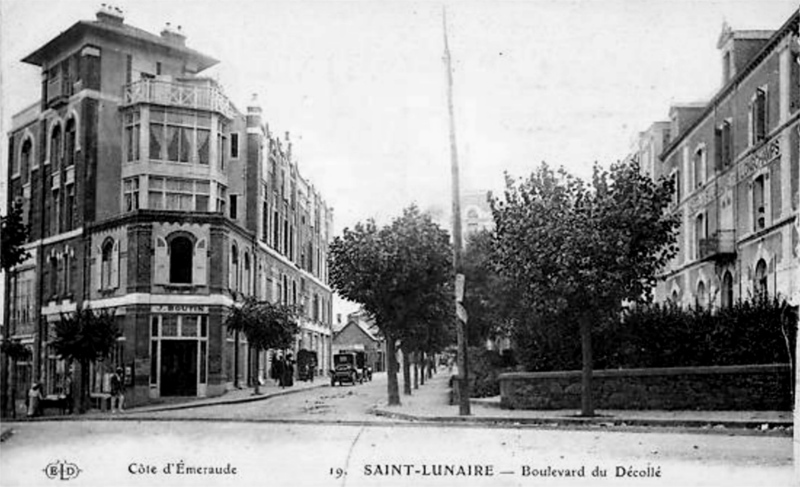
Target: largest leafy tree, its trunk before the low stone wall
580, 251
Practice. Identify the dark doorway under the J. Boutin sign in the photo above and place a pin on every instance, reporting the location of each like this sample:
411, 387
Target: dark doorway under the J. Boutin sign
178, 367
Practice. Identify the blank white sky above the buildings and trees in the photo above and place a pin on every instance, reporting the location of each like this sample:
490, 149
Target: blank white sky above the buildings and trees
360, 84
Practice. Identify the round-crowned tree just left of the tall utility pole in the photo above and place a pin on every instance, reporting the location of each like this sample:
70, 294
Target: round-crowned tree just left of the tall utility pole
392, 272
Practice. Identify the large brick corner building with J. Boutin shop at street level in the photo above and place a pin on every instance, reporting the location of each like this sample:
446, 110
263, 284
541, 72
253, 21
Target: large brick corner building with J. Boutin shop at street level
148, 192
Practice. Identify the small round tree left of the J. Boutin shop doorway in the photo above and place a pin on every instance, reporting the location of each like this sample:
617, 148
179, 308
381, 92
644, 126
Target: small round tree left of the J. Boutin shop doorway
85, 337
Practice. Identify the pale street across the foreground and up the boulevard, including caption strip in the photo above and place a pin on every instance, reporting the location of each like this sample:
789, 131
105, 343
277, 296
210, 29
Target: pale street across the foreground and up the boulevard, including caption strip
275, 442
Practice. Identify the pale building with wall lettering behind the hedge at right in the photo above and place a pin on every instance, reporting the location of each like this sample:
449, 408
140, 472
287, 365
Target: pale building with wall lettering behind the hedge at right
734, 161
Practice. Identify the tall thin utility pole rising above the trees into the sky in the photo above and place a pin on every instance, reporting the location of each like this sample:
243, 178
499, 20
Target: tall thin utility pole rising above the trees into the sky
461, 320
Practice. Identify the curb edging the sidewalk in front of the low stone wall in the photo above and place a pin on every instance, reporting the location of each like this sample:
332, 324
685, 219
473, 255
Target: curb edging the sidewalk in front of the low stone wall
599, 421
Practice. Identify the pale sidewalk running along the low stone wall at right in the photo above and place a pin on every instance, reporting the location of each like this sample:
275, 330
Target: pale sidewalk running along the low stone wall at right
431, 403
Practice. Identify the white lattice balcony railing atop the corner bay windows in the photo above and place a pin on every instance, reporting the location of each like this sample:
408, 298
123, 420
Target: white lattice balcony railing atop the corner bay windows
198, 95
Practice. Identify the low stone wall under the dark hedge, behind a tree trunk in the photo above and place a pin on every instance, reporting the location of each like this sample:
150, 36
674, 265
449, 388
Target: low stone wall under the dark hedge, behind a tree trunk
746, 387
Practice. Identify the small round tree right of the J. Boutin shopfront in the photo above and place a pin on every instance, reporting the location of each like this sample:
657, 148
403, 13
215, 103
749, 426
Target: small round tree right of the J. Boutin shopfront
265, 325
